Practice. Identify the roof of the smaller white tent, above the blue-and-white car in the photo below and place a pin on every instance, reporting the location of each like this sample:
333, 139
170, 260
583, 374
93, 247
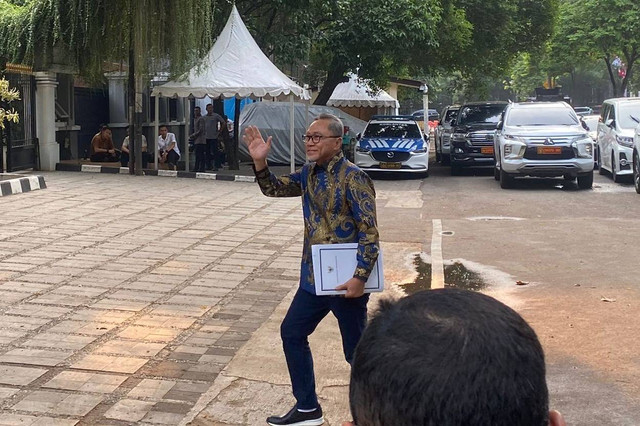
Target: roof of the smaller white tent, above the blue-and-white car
357, 93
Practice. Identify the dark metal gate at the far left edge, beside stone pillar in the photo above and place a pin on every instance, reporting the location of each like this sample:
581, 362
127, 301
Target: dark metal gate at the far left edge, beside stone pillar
20, 138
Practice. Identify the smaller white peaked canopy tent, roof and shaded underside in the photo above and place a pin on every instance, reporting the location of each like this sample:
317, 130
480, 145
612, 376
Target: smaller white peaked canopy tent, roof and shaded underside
356, 94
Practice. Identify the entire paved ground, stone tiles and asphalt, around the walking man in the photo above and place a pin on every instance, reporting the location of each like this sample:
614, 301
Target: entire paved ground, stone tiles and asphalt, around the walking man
157, 300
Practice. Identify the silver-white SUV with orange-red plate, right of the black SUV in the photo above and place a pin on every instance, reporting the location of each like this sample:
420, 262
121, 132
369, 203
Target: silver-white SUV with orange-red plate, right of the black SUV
544, 139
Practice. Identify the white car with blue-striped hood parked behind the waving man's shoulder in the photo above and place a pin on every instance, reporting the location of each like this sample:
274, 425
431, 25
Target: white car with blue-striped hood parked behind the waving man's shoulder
392, 143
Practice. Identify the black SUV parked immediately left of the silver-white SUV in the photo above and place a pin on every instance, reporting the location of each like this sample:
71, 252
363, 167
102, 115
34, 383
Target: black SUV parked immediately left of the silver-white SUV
472, 138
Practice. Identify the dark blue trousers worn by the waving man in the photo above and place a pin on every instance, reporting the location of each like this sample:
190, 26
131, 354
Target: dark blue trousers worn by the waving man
304, 315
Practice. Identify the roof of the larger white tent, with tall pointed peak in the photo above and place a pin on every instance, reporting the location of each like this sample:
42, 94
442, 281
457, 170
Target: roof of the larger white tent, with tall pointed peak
235, 66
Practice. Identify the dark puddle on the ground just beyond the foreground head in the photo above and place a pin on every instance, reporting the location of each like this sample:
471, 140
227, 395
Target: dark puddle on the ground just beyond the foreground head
455, 275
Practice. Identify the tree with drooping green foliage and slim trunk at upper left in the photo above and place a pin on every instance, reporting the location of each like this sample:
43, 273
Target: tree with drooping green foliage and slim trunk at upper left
148, 35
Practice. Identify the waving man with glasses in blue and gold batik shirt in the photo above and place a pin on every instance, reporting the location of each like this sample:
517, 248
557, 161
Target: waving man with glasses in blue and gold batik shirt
338, 203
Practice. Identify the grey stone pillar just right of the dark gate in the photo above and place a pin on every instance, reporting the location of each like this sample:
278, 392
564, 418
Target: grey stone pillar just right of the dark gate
46, 119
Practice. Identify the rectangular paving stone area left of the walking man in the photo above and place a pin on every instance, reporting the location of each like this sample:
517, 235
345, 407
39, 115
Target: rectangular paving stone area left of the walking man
122, 297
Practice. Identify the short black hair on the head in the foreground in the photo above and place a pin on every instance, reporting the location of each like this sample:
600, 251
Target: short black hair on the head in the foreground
448, 357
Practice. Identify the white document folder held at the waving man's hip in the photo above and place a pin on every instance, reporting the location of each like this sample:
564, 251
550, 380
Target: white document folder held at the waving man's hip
334, 264
